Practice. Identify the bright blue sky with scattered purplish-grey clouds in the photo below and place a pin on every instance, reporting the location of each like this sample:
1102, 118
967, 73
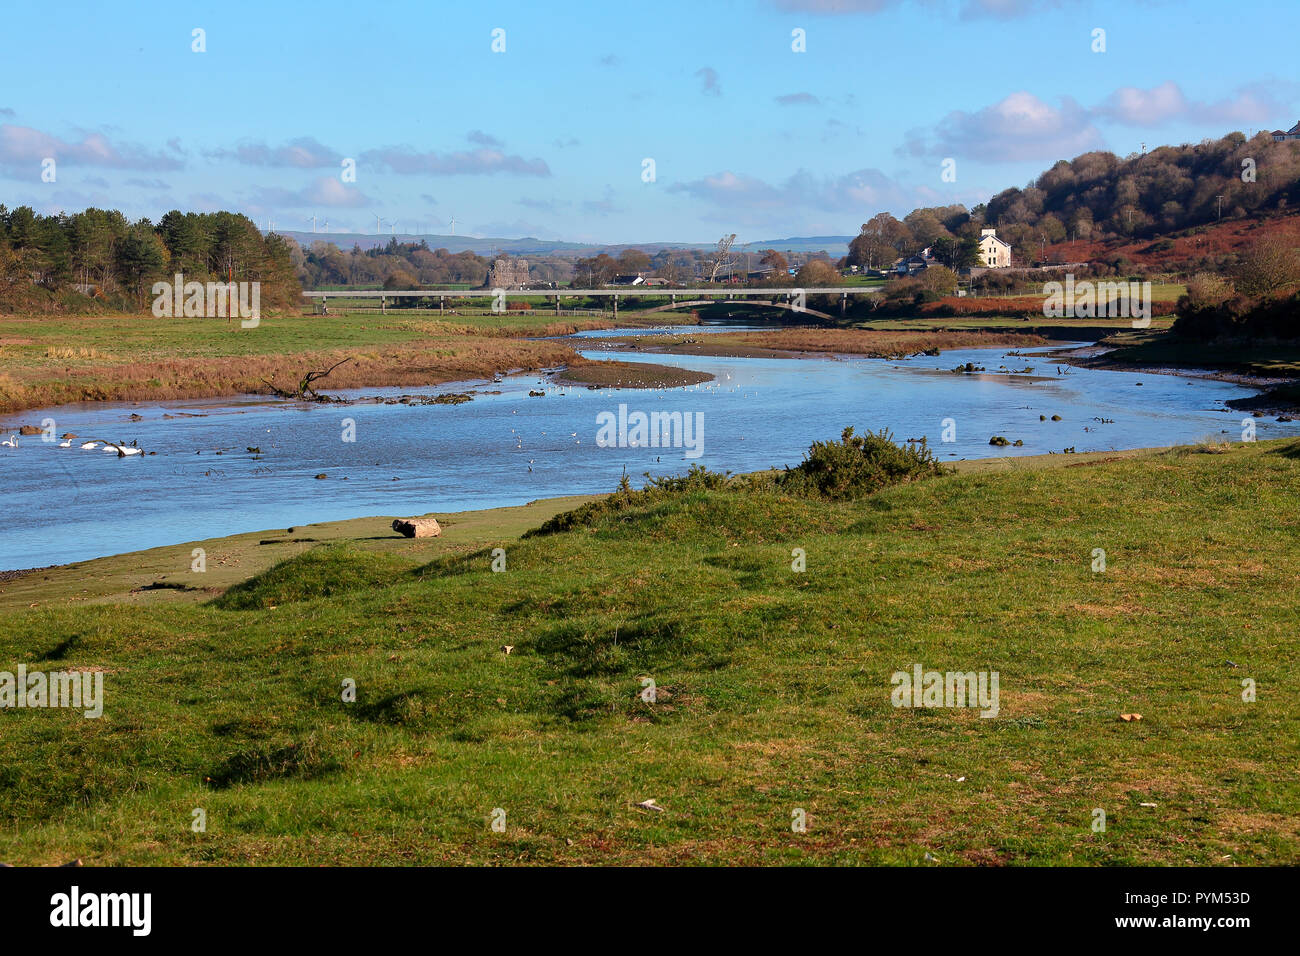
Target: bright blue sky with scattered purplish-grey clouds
619, 123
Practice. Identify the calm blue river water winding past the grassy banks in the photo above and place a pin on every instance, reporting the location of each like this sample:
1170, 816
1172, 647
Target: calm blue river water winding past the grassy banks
68, 505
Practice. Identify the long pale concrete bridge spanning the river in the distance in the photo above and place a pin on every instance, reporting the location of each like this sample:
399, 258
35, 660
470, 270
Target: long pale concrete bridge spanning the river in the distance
790, 300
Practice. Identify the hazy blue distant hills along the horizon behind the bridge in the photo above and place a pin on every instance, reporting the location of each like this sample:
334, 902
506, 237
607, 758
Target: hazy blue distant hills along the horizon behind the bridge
834, 245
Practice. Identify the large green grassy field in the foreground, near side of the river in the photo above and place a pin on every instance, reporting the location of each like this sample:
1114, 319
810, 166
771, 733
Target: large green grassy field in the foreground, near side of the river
774, 686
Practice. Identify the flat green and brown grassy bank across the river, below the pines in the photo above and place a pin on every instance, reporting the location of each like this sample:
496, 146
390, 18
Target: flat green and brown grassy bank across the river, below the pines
57, 360
